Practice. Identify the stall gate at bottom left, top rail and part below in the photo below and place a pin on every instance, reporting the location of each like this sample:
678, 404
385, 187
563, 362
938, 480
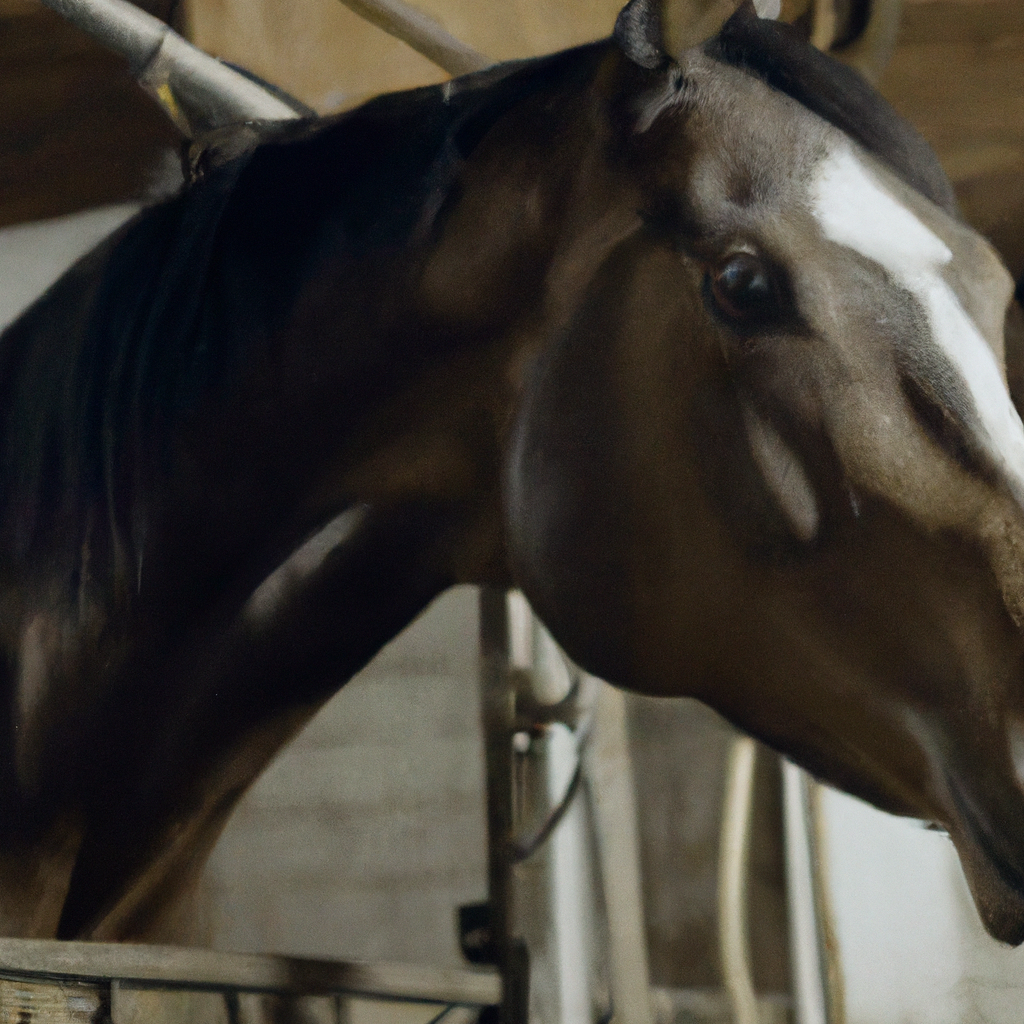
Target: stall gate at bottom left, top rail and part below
50, 983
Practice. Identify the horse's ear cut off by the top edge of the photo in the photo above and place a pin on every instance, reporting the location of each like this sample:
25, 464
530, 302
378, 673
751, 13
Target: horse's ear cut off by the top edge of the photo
651, 31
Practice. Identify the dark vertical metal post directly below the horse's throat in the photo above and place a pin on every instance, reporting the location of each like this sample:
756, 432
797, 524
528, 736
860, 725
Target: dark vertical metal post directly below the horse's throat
498, 714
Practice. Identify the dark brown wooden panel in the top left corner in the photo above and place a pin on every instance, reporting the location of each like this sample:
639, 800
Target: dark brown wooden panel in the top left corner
75, 130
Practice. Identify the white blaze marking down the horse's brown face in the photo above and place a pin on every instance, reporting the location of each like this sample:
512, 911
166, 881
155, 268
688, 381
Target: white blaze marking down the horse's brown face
856, 210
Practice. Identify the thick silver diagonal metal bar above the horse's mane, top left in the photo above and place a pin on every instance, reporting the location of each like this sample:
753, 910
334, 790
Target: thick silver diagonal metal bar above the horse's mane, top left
197, 92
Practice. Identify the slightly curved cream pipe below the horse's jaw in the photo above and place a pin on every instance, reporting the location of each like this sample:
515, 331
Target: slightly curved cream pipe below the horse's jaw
733, 874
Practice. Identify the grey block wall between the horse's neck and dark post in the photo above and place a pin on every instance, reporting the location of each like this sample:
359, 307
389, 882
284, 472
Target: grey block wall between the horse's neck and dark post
368, 831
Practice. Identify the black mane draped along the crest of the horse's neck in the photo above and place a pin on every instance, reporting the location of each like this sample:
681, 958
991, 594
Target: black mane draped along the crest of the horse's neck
99, 374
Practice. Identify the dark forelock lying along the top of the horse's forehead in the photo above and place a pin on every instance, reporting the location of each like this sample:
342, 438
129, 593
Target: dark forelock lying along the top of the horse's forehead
778, 55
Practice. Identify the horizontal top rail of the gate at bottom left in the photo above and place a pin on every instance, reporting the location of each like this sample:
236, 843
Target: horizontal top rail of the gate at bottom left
145, 965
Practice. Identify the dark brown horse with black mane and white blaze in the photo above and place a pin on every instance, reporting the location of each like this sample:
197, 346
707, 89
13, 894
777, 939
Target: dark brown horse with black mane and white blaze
680, 334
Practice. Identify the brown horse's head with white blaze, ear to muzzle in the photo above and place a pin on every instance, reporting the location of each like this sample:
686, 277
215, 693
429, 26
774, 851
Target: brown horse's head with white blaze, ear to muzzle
772, 460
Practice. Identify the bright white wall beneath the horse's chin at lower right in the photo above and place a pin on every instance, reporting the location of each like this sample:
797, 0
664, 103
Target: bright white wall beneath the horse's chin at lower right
911, 943
